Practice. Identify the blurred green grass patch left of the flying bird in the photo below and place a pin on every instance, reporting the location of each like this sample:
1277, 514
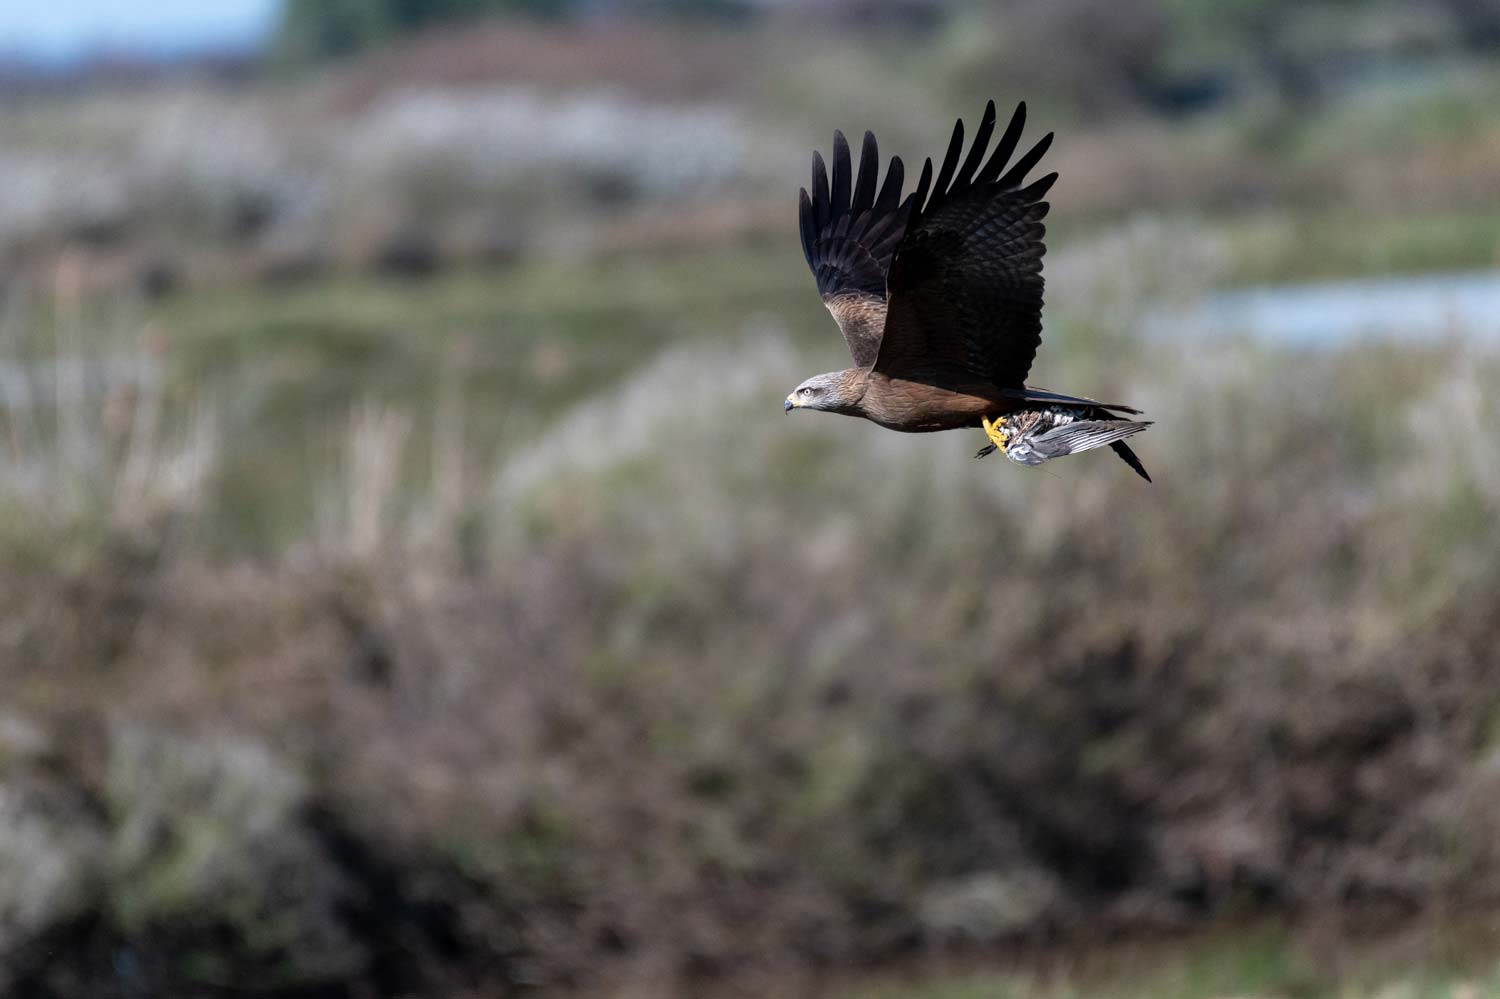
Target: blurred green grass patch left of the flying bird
520, 346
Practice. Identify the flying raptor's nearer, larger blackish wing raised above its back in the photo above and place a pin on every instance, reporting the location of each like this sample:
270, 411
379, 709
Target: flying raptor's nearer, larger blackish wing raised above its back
965, 287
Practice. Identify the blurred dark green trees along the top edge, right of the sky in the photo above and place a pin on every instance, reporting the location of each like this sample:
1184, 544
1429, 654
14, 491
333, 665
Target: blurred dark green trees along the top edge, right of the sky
1169, 55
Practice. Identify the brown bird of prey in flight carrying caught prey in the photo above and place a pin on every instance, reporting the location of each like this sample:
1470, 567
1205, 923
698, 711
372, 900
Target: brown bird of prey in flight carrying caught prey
938, 296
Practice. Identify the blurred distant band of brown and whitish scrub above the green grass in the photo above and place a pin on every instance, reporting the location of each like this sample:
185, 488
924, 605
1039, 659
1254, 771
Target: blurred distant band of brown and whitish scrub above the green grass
476, 145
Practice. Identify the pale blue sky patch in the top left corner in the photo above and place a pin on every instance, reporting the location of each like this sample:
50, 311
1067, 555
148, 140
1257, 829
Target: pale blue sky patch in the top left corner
65, 29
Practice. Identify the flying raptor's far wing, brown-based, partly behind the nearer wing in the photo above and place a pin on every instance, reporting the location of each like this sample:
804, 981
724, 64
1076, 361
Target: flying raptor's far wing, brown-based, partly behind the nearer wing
850, 236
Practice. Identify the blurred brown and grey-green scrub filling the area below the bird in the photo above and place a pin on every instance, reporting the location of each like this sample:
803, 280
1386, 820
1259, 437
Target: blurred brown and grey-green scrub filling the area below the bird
593, 691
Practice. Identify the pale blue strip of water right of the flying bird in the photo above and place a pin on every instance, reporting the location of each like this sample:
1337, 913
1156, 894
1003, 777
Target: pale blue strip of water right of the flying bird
1334, 313
